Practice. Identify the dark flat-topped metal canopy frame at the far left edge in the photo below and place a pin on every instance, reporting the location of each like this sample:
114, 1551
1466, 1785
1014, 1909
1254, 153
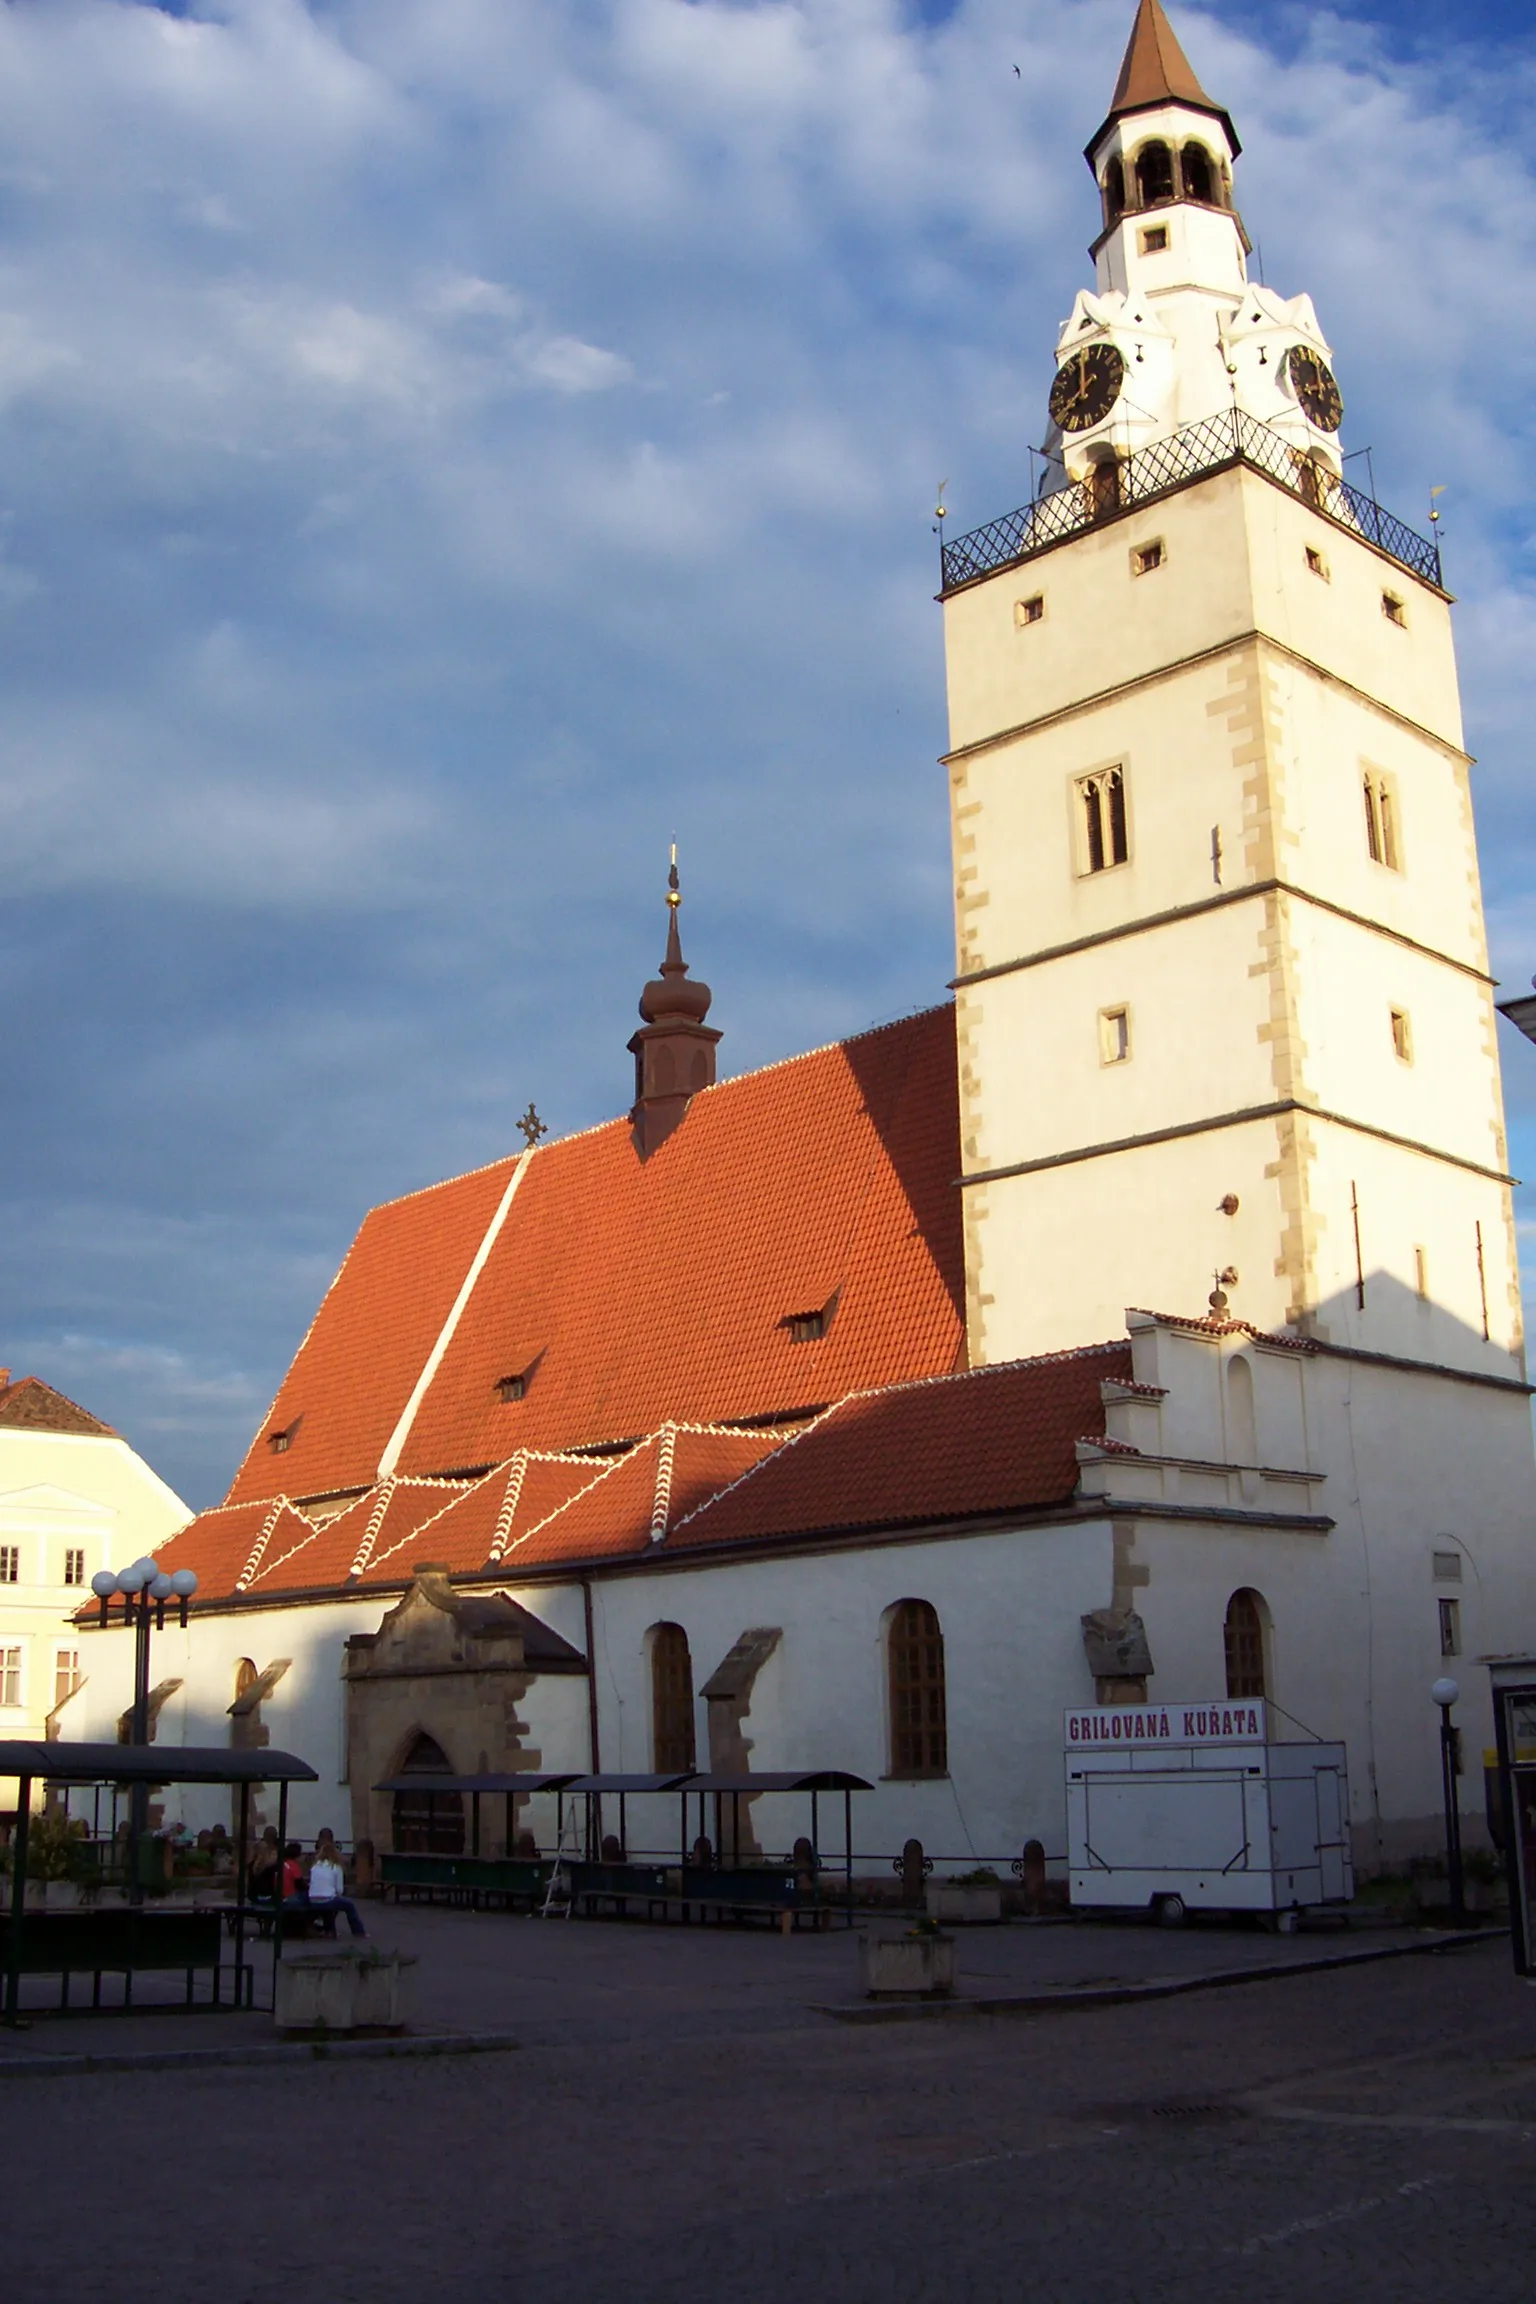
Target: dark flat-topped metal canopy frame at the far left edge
144, 1766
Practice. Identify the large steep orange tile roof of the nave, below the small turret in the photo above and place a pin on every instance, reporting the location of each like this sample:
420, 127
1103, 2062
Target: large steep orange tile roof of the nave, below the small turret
637, 1294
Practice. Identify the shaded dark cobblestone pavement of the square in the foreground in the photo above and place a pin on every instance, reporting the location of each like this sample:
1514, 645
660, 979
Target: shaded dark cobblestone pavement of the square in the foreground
1351, 2135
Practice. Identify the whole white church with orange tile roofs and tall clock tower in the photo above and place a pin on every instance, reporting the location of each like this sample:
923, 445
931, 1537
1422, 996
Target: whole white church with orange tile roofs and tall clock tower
1139, 1324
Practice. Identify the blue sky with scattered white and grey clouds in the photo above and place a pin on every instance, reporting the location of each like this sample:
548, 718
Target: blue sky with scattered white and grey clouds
450, 446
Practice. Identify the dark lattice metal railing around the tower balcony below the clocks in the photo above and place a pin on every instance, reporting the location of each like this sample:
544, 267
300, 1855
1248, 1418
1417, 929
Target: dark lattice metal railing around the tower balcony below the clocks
1118, 487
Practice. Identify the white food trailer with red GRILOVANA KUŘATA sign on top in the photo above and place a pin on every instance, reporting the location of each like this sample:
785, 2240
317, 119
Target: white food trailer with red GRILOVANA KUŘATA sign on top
1192, 1807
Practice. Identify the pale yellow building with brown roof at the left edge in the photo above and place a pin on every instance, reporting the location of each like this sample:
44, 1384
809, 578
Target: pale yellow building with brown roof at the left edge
75, 1499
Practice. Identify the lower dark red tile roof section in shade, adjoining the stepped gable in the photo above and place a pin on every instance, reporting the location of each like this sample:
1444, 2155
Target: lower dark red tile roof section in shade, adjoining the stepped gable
957, 1448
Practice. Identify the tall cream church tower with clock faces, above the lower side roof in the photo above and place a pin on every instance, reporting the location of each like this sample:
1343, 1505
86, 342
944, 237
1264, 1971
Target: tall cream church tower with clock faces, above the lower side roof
1224, 1003
